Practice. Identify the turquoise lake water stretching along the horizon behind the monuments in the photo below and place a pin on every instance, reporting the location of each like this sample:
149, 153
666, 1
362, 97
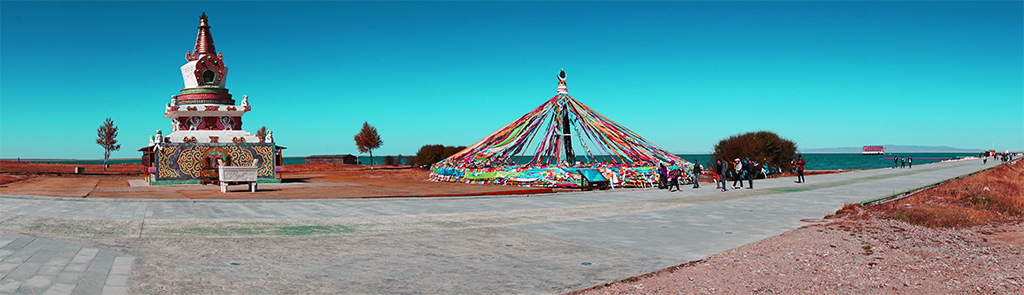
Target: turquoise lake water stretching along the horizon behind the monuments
815, 161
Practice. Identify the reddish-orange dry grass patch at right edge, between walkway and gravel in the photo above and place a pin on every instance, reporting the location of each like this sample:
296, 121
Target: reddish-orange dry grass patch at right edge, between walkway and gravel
993, 196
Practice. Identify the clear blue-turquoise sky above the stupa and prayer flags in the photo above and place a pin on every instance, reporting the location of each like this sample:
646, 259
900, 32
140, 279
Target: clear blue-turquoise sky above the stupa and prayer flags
685, 75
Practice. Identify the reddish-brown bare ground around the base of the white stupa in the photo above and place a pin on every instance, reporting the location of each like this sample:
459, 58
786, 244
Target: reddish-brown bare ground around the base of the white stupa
298, 182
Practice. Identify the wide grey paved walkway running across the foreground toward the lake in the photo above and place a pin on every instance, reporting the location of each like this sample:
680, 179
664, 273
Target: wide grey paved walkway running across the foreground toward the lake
519, 244
